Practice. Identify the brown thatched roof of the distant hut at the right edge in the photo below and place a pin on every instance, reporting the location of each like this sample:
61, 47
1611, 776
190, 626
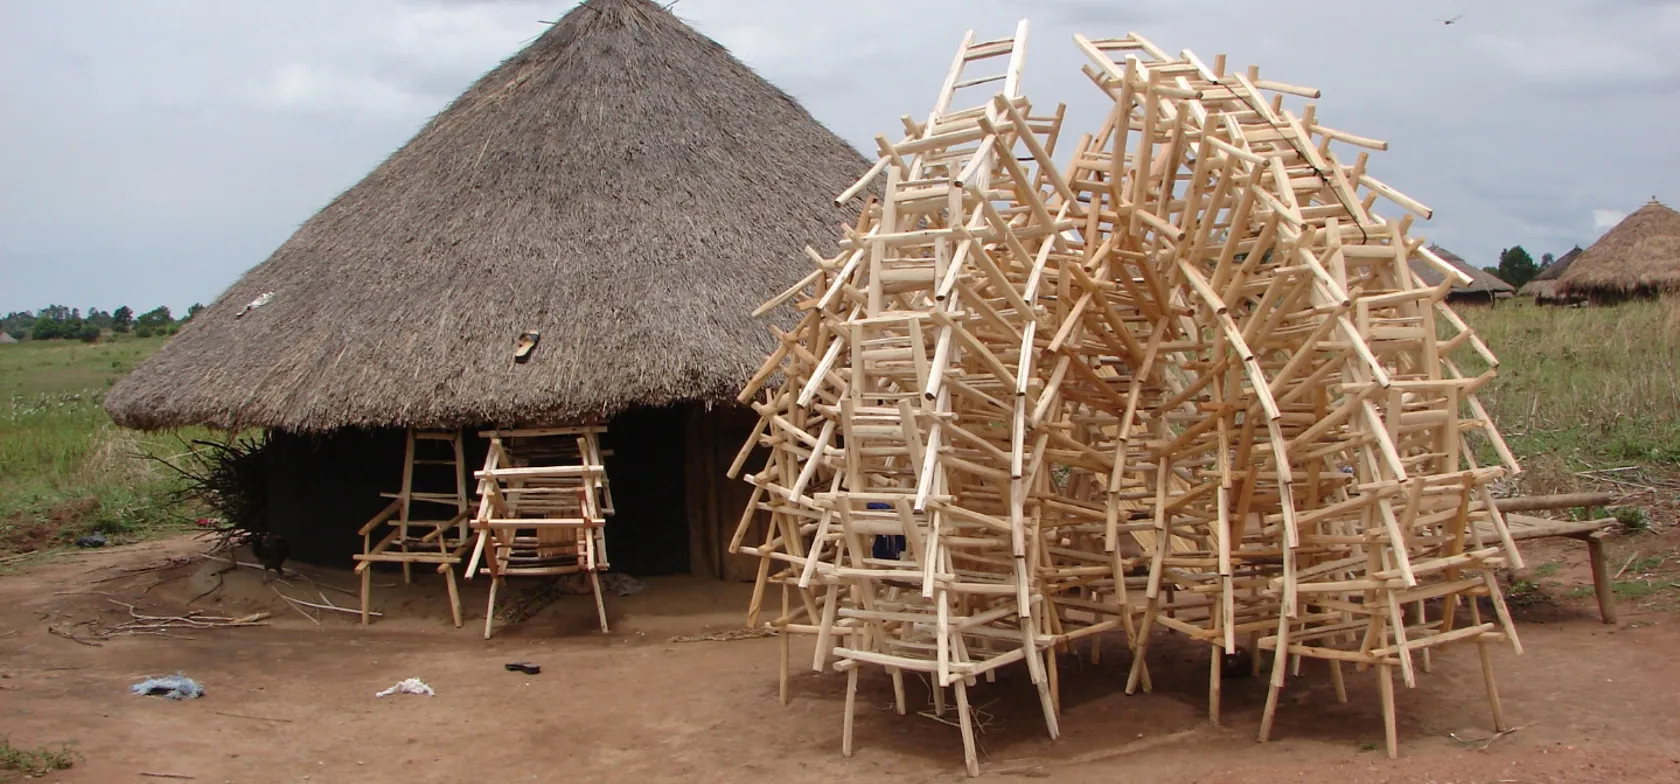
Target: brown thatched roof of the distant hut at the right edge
1639, 256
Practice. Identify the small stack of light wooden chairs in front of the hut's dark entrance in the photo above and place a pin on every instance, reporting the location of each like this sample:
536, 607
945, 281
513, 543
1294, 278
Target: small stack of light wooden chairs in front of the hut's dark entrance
543, 506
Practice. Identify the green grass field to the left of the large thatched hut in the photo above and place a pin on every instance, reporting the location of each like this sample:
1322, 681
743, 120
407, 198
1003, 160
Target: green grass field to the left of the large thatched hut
66, 469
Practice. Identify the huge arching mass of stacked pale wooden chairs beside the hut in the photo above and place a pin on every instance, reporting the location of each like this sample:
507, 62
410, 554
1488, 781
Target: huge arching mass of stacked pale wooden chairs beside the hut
1187, 382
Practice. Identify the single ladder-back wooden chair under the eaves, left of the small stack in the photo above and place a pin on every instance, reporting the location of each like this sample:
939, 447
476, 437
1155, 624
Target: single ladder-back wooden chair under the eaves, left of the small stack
417, 538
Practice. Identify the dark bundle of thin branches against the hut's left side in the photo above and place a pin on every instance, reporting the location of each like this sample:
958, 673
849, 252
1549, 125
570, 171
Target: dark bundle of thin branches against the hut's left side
228, 479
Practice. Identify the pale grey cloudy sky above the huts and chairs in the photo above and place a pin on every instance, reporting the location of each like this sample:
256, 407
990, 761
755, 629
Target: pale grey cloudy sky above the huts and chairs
152, 152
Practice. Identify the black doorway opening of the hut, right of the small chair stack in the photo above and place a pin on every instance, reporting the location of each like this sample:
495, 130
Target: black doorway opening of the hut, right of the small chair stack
649, 531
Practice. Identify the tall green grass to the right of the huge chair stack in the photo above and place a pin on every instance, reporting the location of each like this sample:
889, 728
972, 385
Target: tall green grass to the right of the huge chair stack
1583, 387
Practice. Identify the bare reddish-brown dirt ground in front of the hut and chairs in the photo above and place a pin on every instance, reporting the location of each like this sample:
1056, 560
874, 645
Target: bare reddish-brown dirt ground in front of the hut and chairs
297, 701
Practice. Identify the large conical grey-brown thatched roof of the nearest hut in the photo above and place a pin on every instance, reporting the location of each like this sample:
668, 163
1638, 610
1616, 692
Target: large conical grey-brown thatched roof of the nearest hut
622, 186
